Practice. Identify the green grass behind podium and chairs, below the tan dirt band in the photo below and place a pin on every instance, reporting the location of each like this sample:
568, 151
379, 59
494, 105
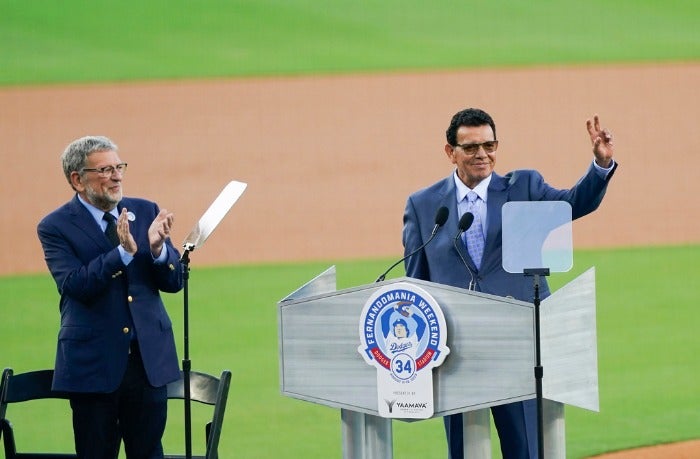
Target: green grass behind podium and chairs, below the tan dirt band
647, 346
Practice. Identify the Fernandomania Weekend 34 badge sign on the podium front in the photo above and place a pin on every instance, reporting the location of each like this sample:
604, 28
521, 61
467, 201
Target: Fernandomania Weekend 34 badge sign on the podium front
403, 334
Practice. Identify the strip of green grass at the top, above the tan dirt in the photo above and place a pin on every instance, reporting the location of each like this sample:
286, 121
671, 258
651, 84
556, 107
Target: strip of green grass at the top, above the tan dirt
81, 41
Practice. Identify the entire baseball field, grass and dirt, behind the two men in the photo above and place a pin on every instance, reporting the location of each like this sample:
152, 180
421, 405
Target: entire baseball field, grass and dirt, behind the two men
333, 113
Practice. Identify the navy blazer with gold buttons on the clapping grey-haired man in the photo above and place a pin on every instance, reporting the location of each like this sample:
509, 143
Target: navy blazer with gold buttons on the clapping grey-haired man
103, 301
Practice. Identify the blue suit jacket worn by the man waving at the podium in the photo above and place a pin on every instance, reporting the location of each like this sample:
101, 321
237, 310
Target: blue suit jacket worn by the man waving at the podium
440, 262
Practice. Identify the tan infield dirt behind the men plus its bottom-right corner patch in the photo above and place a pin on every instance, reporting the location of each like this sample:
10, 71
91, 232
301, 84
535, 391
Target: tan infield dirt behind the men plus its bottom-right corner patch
330, 160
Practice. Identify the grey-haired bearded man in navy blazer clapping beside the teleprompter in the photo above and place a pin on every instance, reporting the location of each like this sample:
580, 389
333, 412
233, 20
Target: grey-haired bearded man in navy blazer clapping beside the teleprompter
111, 257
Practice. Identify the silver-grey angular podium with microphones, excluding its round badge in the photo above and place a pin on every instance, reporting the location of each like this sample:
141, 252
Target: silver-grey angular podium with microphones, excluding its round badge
491, 359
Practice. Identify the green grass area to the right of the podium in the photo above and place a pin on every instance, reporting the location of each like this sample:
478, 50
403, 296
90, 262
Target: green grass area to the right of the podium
647, 349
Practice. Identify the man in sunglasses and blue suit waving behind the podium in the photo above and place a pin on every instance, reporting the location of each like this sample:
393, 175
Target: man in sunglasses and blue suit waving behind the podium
477, 263
